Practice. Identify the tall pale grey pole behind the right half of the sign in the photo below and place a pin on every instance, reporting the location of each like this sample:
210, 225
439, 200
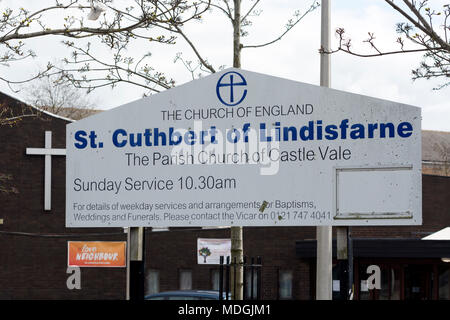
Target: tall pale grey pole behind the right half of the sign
324, 233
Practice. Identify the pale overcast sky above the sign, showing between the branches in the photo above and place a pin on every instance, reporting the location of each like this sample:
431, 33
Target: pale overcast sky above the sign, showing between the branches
295, 57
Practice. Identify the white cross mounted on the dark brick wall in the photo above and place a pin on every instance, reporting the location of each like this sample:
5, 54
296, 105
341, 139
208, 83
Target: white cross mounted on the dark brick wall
48, 152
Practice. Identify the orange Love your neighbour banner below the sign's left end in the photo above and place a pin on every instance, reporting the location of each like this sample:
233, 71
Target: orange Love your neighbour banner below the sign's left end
96, 254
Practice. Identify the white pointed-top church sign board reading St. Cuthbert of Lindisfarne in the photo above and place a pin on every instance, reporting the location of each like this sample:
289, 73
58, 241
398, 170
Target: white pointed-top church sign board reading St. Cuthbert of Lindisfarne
245, 149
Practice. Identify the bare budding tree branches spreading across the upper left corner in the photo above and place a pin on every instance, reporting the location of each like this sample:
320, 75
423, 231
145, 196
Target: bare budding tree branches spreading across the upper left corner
156, 21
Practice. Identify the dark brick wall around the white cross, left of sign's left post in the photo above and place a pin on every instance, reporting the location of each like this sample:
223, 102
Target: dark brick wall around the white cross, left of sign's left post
33, 266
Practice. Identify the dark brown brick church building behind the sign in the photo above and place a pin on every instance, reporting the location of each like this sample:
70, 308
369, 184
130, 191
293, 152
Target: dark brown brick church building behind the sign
33, 254
